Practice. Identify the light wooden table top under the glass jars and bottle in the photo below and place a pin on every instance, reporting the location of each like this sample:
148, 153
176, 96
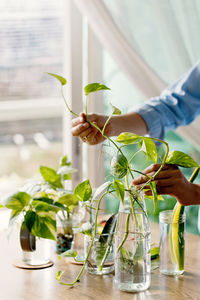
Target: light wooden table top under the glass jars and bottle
20, 284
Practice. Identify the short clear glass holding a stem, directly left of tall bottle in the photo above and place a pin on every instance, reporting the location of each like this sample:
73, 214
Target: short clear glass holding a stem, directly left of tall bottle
101, 257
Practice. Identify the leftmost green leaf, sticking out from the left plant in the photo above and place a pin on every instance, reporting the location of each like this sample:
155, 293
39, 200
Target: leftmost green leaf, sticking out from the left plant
17, 201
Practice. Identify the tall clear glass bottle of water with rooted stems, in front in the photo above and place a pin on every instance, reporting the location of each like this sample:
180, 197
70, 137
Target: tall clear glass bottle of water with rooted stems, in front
132, 251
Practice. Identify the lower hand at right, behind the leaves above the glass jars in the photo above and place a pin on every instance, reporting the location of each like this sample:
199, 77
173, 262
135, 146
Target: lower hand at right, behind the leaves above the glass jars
170, 181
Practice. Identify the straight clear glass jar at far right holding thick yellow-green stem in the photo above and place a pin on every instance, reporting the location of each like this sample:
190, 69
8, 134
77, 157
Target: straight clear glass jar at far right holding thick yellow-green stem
172, 243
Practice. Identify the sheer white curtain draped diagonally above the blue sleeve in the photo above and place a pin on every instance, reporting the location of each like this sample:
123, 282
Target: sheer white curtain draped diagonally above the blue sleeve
153, 41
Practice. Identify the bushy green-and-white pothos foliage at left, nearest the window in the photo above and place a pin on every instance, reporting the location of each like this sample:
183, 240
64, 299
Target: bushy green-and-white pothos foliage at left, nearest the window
39, 202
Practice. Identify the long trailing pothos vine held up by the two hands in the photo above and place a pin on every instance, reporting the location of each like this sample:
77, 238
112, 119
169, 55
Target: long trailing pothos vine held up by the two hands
123, 172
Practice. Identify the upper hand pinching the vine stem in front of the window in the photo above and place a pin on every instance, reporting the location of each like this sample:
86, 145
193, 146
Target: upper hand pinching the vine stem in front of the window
88, 133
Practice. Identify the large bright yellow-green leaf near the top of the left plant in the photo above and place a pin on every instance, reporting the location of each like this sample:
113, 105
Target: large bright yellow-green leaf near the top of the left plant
51, 176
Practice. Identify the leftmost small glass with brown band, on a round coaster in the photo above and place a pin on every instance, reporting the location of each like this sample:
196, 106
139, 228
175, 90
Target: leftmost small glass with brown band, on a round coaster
35, 251
